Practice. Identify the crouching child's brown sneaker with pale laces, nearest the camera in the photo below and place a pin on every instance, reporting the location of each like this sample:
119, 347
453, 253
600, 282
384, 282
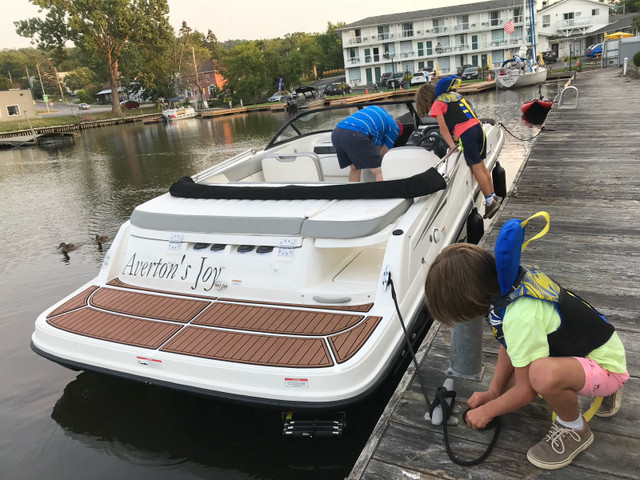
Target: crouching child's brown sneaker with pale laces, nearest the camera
559, 447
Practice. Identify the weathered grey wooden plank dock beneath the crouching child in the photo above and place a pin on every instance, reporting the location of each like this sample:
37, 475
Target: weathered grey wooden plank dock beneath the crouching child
582, 170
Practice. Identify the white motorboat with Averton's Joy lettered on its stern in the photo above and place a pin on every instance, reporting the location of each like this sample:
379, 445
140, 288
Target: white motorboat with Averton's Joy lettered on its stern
265, 279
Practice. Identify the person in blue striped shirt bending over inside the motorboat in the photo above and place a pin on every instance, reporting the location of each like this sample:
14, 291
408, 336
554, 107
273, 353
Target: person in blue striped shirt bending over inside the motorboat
363, 138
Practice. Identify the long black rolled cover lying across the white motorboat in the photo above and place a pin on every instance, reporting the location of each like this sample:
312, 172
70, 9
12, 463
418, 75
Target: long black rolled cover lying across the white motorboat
424, 183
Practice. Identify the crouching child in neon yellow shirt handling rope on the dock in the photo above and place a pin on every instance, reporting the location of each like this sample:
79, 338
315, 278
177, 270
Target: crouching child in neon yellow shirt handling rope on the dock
584, 357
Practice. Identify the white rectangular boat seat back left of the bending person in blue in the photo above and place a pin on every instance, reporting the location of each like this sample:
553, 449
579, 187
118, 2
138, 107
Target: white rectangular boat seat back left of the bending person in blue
302, 167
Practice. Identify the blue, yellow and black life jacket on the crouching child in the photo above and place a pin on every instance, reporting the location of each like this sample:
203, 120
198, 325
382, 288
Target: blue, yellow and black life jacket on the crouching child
582, 329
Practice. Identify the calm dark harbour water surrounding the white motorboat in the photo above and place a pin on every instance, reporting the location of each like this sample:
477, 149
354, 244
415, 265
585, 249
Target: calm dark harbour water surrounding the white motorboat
60, 424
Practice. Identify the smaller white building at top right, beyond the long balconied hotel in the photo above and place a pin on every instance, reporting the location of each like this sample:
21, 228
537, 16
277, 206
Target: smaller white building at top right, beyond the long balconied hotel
567, 26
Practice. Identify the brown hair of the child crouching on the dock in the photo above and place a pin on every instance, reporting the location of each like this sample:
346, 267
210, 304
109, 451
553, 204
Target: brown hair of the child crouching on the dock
461, 284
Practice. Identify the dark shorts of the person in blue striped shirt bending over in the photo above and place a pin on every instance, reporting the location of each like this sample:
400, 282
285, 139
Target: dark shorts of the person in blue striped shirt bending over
355, 148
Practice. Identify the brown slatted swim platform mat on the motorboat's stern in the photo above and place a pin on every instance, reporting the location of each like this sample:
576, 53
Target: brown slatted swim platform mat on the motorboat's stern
217, 328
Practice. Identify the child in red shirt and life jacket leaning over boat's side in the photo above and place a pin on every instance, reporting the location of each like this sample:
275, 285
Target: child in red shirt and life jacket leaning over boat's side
457, 120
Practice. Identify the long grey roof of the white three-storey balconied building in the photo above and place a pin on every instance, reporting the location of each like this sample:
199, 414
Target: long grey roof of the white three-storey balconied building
431, 13
